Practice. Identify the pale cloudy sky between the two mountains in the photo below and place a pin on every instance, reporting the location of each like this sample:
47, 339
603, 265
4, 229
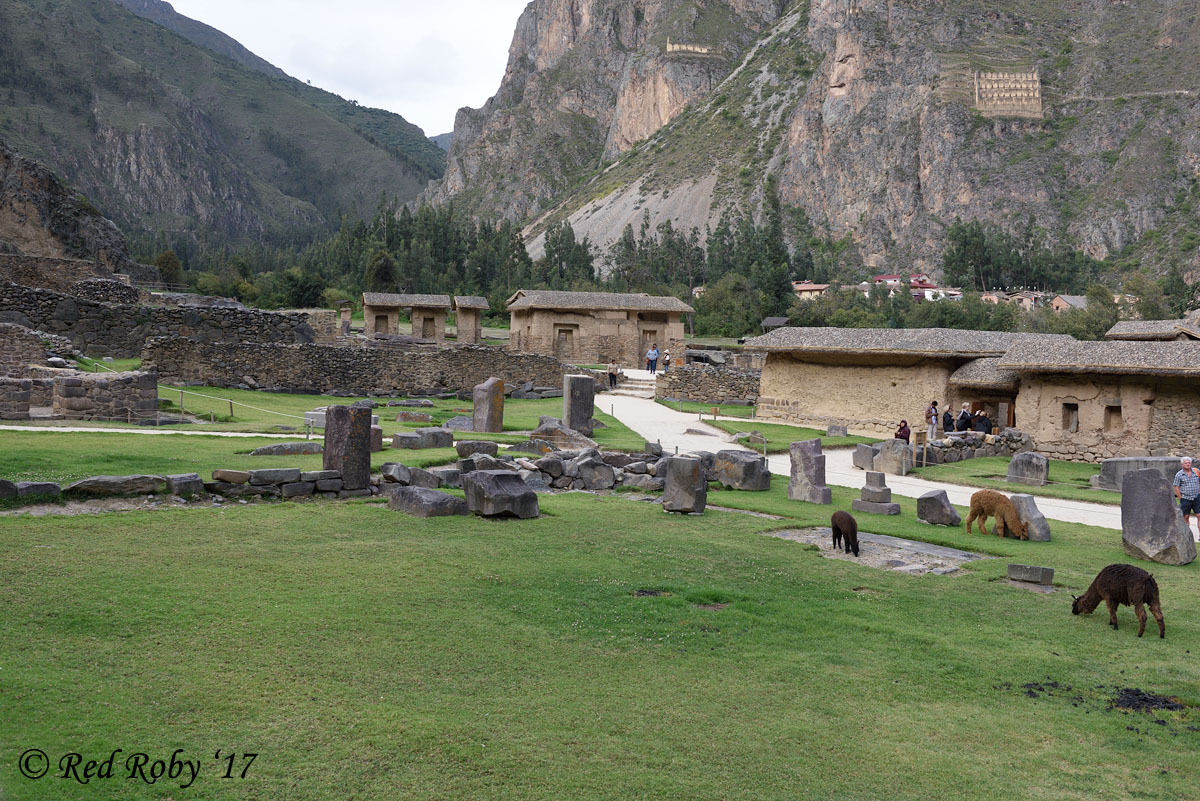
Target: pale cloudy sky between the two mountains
421, 59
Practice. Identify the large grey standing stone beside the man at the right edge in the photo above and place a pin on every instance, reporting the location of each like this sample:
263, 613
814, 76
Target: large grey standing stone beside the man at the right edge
1151, 525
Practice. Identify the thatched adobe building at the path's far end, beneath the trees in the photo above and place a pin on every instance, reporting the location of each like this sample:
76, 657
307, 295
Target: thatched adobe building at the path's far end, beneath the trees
596, 328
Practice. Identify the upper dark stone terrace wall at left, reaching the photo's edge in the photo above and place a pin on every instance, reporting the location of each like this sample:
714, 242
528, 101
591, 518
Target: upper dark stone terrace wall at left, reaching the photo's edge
111, 330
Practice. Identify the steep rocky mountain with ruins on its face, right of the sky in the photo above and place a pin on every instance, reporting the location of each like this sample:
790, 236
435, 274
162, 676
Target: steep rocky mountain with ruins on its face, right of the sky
861, 113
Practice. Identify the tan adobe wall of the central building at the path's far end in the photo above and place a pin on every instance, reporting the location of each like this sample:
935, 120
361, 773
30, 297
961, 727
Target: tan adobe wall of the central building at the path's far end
597, 338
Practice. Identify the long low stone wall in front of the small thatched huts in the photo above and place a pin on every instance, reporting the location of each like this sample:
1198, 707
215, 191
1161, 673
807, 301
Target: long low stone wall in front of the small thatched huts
362, 371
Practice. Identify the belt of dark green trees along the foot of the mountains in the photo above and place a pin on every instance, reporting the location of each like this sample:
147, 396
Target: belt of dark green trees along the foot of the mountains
746, 267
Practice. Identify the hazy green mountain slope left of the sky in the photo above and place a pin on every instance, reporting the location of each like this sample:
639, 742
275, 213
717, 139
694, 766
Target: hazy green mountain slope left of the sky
165, 135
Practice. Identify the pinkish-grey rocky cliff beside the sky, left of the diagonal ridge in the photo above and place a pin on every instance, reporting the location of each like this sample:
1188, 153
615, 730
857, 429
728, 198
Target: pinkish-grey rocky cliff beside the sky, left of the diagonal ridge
586, 80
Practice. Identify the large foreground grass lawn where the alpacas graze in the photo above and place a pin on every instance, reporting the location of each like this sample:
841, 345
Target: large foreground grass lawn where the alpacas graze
374, 657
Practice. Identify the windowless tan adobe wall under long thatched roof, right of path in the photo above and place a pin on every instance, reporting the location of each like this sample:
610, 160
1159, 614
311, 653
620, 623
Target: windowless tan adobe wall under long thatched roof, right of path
871, 400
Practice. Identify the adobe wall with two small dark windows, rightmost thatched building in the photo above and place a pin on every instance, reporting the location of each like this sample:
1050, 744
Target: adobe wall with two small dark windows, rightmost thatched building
1118, 417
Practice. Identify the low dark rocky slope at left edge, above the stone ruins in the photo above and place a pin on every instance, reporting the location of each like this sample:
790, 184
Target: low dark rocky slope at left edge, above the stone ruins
40, 216
